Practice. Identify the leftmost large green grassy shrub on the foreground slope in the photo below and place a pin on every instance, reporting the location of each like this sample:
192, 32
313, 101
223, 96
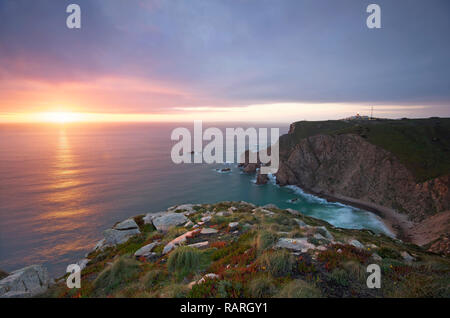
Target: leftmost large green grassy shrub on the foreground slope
119, 273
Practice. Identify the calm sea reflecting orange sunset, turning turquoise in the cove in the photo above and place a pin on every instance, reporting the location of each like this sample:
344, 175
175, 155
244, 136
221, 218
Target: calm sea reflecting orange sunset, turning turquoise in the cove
62, 185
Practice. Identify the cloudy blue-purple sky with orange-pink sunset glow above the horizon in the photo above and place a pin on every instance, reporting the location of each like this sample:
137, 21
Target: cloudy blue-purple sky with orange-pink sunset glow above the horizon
242, 60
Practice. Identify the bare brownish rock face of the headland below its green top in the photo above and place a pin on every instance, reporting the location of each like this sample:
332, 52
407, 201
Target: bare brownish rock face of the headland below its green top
350, 166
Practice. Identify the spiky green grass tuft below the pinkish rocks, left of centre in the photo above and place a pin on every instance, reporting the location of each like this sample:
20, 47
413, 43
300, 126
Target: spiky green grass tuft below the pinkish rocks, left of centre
184, 260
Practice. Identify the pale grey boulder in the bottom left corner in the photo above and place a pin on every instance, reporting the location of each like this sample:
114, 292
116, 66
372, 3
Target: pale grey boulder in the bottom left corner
25, 282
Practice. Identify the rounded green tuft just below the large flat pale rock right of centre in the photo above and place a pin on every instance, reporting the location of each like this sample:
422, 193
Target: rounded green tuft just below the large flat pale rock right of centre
278, 263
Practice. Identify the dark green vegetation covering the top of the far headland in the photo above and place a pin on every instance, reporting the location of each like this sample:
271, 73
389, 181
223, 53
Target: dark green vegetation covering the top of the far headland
422, 145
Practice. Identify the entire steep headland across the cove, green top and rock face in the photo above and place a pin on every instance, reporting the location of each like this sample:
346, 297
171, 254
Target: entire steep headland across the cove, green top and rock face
401, 165
